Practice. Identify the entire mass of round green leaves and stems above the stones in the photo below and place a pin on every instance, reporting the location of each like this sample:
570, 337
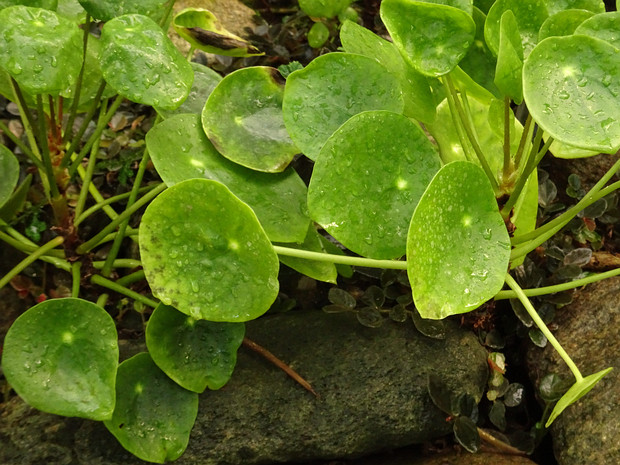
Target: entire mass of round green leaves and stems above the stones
420, 164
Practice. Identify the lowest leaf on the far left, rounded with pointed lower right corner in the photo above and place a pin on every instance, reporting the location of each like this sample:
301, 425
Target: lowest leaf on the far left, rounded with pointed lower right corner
61, 356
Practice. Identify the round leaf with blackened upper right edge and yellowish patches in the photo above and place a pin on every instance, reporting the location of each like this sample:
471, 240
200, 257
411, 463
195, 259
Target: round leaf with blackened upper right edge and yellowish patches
243, 119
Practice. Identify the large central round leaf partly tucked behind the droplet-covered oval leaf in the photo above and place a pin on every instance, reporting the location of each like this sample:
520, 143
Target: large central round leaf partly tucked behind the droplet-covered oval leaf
364, 200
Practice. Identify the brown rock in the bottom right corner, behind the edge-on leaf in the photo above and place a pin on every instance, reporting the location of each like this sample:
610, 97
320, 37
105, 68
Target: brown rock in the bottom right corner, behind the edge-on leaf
588, 432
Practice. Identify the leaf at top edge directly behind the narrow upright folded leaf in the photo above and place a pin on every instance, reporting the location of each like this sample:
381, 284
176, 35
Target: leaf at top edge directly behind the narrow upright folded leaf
530, 15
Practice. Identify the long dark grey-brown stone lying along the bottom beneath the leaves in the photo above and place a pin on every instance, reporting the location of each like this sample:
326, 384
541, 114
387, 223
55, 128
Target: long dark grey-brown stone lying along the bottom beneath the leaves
372, 384
